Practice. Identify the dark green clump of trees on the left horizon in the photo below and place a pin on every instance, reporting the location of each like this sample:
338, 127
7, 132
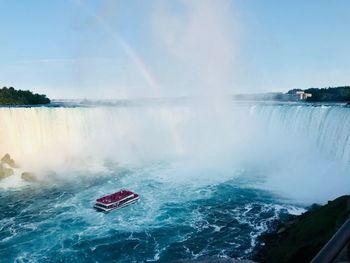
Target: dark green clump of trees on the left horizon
11, 96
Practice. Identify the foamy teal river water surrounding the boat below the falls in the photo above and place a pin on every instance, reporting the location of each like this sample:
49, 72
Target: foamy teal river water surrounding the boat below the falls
172, 221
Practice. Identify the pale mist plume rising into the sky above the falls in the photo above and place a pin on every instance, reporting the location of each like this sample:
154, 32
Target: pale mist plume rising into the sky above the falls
201, 38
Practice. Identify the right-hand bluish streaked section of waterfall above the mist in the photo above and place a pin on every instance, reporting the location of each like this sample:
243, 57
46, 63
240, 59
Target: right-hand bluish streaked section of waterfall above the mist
327, 126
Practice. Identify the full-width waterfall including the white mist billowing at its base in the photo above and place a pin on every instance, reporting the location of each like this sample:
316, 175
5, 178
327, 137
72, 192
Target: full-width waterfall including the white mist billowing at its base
294, 148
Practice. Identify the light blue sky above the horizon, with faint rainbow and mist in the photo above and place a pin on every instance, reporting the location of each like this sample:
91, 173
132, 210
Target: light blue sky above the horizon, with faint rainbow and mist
119, 49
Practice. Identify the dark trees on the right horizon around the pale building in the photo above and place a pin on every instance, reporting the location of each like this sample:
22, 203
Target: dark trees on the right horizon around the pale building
331, 94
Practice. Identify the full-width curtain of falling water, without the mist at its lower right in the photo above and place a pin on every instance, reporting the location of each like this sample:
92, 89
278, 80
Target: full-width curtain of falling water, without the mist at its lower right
156, 131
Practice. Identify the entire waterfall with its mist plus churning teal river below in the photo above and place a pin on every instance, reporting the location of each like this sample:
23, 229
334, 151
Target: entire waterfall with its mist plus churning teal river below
210, 180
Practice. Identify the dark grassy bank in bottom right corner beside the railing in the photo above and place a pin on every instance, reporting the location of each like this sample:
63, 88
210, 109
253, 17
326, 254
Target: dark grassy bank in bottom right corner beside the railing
300, 238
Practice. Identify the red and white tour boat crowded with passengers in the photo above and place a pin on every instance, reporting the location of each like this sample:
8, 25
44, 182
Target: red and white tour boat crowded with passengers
117, 200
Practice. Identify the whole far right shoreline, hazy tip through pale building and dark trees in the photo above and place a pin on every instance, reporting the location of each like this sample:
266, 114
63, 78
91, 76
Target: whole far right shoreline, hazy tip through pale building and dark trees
330, 94
